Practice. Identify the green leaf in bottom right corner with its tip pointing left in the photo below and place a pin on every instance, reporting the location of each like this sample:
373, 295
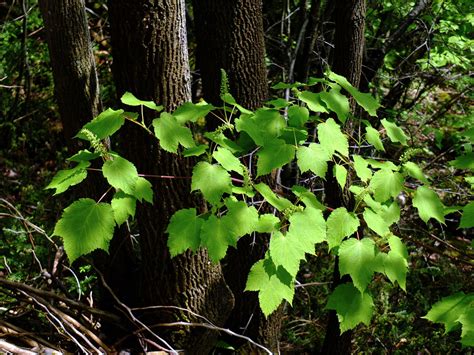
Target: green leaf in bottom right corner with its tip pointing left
449, 309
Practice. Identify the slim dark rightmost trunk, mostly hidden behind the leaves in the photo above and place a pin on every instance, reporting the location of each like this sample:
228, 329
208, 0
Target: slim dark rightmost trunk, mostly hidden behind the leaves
348, 56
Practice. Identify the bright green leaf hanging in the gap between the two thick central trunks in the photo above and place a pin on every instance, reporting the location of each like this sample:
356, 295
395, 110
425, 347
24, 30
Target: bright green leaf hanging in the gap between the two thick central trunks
212, 180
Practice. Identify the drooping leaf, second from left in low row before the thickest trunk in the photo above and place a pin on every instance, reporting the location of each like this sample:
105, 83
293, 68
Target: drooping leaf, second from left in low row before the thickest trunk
216, 236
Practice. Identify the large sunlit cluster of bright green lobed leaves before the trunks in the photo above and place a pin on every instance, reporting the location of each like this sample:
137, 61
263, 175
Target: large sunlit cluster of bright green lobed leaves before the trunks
227, 179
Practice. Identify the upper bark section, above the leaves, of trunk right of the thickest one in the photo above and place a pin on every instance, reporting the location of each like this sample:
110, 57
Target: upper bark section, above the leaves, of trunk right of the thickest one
230, 36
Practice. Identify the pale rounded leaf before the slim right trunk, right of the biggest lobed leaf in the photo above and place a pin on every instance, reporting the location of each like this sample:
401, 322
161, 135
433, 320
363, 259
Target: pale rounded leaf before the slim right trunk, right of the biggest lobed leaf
340, 224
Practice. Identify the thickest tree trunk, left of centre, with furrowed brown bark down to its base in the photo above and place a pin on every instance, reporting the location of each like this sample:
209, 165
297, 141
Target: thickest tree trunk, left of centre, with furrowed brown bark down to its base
151, 61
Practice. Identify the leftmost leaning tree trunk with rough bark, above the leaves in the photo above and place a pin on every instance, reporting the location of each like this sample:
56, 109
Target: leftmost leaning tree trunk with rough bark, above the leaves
76, 85
